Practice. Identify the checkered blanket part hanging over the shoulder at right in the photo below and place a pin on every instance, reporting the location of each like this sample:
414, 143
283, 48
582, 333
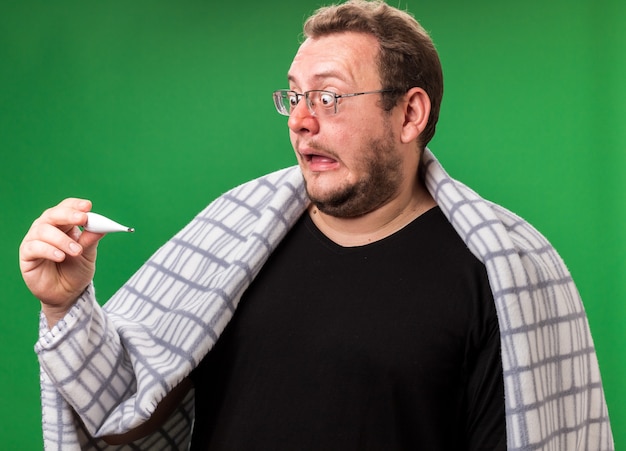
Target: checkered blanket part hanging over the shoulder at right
553, 390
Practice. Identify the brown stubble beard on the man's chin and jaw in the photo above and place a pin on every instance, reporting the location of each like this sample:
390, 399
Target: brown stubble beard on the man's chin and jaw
379, 183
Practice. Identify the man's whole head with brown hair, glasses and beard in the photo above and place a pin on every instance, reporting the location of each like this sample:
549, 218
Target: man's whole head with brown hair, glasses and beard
358, 151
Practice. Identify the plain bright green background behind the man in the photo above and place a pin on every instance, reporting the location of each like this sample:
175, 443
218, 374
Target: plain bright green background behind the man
152, 108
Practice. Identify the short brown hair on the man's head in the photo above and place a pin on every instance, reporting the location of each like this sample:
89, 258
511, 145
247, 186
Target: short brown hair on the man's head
407, 57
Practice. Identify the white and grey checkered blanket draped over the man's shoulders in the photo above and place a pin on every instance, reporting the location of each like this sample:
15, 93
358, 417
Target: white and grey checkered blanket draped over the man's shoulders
104, 370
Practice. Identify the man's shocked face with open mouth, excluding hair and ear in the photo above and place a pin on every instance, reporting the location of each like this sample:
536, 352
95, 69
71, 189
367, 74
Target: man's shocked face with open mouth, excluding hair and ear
350, 160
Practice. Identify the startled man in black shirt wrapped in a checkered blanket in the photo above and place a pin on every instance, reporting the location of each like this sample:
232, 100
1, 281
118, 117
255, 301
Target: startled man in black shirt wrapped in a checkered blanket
364, 318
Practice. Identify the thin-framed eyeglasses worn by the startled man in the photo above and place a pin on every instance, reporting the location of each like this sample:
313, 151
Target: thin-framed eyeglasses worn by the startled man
319, 102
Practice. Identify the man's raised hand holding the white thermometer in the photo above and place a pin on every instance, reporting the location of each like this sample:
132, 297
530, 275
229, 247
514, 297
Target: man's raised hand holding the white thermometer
57, 259
